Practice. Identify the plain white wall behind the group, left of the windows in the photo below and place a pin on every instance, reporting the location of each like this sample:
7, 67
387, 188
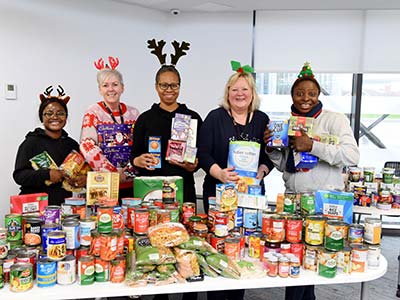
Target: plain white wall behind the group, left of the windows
47, 42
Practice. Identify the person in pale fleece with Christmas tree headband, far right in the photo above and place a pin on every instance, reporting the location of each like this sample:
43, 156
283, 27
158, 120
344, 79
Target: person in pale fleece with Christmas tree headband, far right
333, 146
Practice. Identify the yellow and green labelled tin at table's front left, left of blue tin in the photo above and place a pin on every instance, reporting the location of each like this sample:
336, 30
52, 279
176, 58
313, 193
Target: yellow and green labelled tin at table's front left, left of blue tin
21, 277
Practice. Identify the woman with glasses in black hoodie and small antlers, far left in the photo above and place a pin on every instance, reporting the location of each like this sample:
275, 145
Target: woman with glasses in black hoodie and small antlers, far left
53, 113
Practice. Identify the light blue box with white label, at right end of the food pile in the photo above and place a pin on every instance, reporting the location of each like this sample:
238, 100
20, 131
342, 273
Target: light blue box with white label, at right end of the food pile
334, 204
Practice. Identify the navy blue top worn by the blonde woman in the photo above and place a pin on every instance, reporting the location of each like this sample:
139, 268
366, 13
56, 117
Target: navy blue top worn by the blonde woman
213, 144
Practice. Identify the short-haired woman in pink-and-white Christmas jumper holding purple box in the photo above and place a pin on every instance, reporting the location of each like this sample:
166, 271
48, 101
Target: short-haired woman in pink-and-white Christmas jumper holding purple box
106, 135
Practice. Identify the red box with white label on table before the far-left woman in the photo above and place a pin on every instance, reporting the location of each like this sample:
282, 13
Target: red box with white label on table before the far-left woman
29, 203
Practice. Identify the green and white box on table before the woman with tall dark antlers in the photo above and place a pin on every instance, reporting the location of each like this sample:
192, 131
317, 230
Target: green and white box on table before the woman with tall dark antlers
150, 187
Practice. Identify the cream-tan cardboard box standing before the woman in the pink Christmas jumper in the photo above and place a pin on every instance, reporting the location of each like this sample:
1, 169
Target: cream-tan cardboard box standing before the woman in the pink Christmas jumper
101, 184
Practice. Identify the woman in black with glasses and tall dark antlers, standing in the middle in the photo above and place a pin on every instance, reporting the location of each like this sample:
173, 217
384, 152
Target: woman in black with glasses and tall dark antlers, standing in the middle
156, 122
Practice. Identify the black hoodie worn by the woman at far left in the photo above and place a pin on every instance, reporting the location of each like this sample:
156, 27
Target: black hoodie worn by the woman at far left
32, 181
